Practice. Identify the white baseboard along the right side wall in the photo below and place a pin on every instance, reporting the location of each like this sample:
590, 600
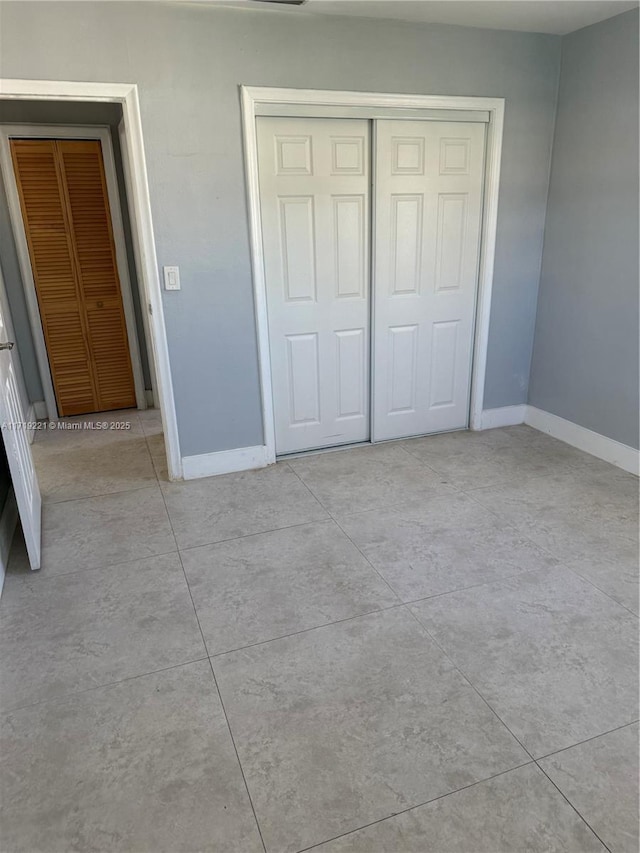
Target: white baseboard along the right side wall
621, 455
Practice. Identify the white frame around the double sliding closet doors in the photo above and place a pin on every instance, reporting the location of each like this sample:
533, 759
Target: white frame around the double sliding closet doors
254, 96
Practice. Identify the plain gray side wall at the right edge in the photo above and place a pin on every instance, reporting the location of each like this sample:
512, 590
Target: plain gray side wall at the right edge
585, 360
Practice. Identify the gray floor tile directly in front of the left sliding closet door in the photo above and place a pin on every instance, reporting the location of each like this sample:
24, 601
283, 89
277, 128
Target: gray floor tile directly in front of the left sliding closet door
363, 478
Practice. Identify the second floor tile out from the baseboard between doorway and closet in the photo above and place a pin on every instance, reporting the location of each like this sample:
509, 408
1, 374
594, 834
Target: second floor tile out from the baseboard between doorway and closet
265, 586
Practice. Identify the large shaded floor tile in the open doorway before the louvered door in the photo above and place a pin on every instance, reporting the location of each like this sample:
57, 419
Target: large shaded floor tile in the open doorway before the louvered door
93, 469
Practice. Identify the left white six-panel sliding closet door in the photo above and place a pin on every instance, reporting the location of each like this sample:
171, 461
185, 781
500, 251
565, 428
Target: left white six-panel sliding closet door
314, 196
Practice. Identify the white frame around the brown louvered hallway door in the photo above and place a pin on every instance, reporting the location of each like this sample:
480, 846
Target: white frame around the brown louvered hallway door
103, 134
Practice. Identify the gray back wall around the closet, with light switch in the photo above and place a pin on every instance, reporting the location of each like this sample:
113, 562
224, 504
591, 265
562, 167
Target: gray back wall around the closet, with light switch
188, 62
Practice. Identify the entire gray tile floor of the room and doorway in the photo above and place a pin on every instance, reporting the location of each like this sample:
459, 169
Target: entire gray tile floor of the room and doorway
429, 645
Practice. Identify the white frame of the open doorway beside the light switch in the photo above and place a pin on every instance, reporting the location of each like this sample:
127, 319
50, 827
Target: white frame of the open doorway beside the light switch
138, 201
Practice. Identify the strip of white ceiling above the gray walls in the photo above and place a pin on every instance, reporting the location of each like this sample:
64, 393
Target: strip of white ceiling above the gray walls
540, 16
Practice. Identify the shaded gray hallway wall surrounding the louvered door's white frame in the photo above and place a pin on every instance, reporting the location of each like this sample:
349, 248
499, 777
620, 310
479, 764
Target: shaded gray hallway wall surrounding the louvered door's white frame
47, 112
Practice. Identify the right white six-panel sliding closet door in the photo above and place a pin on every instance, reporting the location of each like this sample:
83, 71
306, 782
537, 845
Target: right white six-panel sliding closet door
428, 208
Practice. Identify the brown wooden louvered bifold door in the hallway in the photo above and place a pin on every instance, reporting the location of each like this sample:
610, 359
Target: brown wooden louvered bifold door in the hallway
65, 209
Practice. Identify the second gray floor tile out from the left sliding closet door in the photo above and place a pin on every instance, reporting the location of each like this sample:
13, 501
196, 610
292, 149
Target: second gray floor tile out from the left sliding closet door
448, 543
